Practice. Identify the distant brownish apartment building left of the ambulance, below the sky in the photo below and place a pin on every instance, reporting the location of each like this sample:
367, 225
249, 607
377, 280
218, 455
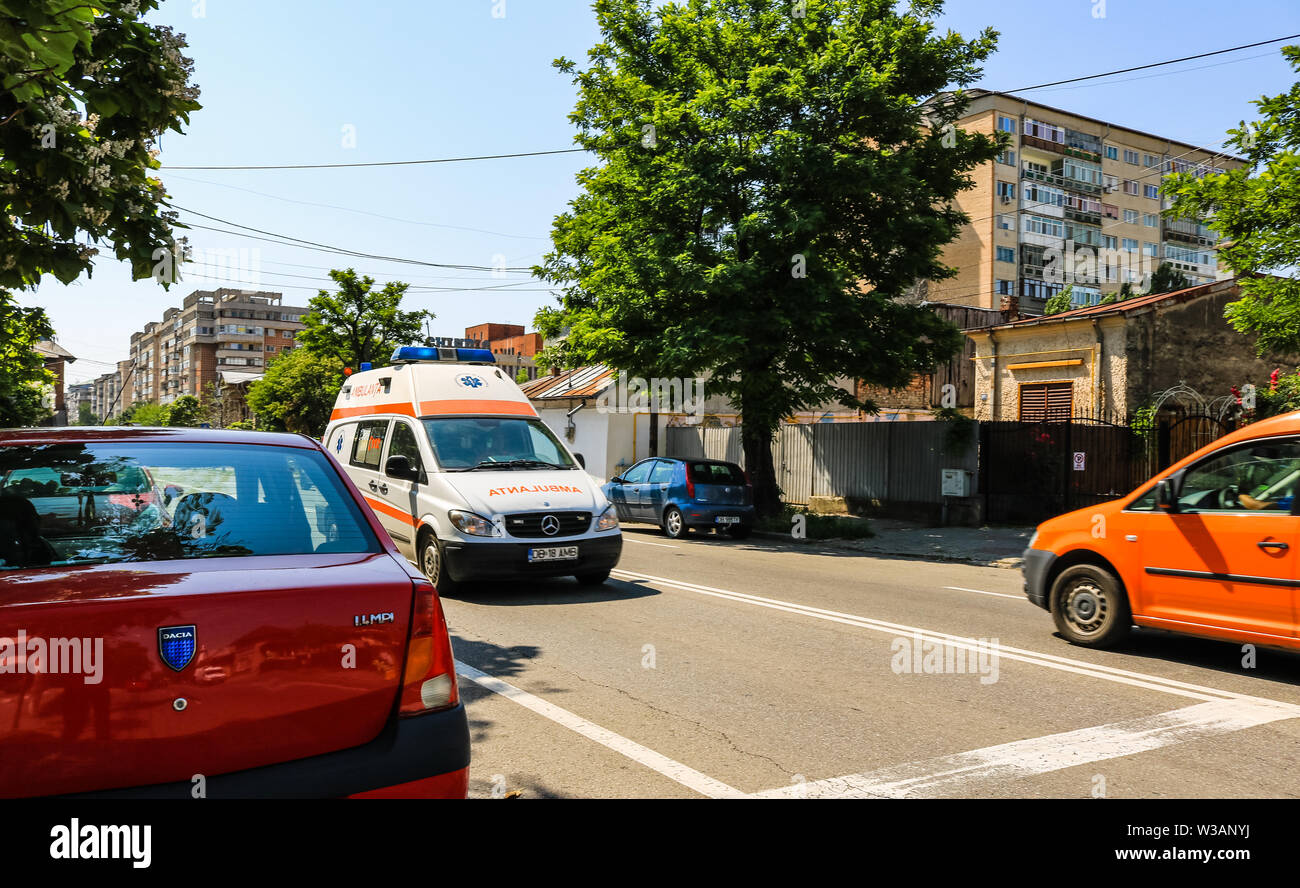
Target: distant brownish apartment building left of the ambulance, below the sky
213, 331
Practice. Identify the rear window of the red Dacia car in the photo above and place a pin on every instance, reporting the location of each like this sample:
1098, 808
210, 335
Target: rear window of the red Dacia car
85, 504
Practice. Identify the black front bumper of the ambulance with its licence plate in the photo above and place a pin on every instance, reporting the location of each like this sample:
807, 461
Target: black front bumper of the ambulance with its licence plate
509, 561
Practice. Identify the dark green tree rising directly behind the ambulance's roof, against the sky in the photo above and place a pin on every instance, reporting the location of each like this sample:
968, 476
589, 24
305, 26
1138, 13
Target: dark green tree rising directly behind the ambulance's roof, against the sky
357, 326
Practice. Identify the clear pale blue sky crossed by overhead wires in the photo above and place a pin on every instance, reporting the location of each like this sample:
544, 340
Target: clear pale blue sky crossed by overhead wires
447, 79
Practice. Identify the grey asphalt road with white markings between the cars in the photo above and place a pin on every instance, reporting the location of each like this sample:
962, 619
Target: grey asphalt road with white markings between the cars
713, 668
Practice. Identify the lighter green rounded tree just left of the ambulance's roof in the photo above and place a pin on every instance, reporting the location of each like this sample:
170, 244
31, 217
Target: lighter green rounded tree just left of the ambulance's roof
297, 393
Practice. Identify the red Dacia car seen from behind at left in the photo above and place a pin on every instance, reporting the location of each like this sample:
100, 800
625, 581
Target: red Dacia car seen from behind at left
200, 613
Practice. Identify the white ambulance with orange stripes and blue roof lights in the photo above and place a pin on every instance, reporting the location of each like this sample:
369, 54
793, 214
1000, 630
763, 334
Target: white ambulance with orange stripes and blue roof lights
465, 475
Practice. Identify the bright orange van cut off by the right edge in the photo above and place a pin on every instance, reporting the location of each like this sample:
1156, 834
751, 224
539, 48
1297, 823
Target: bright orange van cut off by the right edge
1207, 548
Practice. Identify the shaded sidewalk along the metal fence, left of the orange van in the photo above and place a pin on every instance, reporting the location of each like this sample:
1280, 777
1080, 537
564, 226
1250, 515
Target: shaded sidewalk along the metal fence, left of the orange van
990, 547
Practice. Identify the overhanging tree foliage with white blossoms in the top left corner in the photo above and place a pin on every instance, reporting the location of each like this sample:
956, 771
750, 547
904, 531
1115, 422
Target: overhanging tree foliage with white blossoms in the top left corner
88, 89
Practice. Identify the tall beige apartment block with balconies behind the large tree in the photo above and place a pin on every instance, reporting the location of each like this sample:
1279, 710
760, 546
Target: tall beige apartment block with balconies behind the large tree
1073, 201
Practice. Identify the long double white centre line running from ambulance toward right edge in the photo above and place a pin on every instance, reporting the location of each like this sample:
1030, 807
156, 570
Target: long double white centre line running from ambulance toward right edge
1038, 659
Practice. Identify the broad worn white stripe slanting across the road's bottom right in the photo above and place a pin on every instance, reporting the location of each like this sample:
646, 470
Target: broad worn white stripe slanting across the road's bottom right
1056, 752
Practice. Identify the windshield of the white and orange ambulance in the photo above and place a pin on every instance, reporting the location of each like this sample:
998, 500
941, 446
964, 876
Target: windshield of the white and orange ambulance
479, 443
